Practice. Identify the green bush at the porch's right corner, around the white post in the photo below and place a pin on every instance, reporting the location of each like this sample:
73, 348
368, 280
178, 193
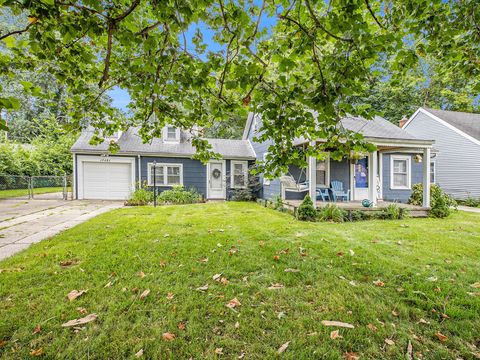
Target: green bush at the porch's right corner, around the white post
441, 203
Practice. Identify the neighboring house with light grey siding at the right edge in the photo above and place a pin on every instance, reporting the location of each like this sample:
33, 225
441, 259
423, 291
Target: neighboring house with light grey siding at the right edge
456, 165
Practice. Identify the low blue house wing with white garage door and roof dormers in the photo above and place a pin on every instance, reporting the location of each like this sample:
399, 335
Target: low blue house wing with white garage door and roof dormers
100, 175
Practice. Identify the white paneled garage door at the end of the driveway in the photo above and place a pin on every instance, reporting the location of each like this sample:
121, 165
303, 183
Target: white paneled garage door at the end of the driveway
107, 181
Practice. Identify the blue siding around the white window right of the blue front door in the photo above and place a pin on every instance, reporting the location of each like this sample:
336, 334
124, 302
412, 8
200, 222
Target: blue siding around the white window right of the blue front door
394, 194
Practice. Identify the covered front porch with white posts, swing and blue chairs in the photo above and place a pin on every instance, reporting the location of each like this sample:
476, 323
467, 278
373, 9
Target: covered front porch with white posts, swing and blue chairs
382, 177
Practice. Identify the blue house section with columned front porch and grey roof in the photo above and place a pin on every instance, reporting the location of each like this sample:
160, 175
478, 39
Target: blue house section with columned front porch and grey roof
386, 174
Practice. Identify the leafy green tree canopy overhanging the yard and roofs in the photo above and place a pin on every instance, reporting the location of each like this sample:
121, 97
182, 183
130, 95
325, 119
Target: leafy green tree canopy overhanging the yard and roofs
315, 57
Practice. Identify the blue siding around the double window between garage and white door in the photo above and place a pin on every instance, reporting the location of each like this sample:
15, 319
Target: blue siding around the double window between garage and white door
194, 172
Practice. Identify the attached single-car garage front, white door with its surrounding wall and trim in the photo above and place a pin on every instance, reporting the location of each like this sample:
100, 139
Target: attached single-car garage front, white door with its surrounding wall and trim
102, 178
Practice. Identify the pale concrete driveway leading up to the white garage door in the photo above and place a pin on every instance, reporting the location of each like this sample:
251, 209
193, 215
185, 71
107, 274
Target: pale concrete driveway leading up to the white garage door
25, 222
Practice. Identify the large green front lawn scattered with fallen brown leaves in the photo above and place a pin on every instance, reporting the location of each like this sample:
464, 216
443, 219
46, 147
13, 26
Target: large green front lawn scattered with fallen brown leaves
427, 266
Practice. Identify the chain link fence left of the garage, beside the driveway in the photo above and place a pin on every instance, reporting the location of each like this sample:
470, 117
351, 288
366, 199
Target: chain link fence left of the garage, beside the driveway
35, 187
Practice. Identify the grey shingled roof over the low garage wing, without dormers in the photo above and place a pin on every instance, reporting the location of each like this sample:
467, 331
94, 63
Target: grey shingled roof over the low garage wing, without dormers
130, 142
